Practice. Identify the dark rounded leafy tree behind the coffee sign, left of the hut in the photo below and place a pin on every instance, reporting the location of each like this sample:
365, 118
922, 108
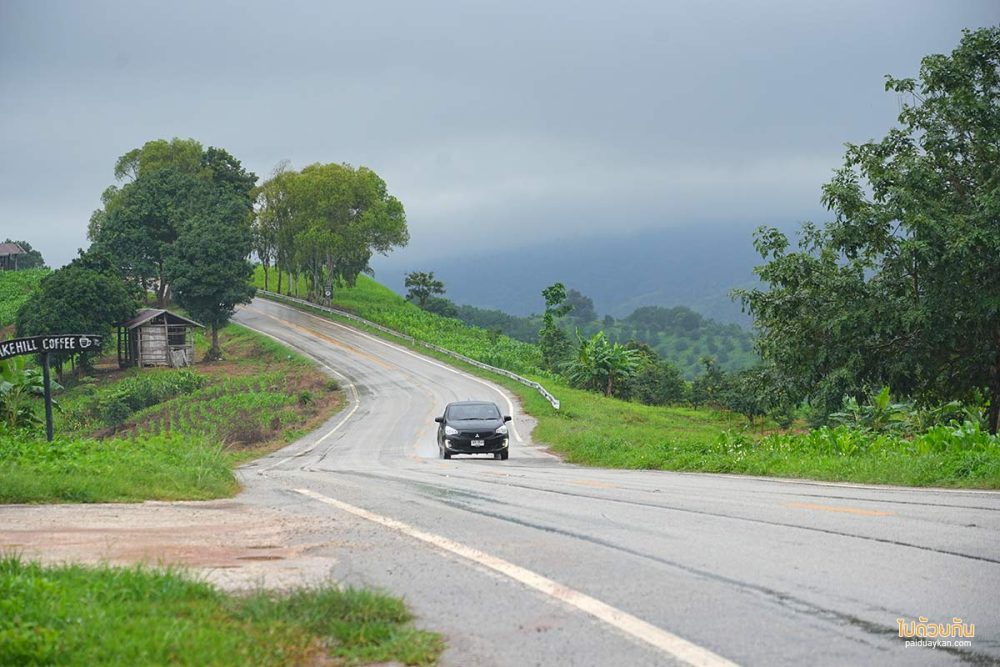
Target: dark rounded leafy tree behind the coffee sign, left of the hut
84, 297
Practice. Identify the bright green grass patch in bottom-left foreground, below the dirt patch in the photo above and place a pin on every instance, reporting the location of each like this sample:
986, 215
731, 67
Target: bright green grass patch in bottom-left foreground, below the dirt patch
74, 615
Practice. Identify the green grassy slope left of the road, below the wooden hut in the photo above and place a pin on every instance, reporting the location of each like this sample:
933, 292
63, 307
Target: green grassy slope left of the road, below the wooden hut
168, 434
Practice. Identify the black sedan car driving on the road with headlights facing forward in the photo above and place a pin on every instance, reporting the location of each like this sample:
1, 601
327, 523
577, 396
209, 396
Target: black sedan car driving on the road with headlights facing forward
473, 427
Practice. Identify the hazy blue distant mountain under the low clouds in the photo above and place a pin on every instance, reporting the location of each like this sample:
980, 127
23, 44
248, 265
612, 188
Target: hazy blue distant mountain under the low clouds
694, 267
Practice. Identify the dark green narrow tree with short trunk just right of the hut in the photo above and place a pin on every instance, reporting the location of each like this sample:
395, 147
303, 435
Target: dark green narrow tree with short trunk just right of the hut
208, 265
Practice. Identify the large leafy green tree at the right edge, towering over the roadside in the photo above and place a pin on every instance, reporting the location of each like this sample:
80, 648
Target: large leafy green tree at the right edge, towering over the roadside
901, 288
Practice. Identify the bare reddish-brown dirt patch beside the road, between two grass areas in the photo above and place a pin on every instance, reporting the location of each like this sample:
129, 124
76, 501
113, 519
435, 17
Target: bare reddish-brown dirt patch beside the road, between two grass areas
235, 546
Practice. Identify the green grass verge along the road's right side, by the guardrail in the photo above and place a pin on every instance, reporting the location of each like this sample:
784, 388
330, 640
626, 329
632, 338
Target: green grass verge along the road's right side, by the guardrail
597, 431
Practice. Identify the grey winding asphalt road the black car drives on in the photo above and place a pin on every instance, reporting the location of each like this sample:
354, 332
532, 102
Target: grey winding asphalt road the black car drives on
532, 561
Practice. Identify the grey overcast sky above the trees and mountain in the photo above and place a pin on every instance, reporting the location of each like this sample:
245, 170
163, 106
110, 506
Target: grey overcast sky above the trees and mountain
522, 121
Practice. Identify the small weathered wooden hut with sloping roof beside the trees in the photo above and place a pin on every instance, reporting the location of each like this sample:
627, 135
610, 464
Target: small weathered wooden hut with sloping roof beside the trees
156, 338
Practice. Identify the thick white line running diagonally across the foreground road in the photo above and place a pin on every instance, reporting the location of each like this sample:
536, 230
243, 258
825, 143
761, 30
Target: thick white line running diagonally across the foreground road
669, 643
